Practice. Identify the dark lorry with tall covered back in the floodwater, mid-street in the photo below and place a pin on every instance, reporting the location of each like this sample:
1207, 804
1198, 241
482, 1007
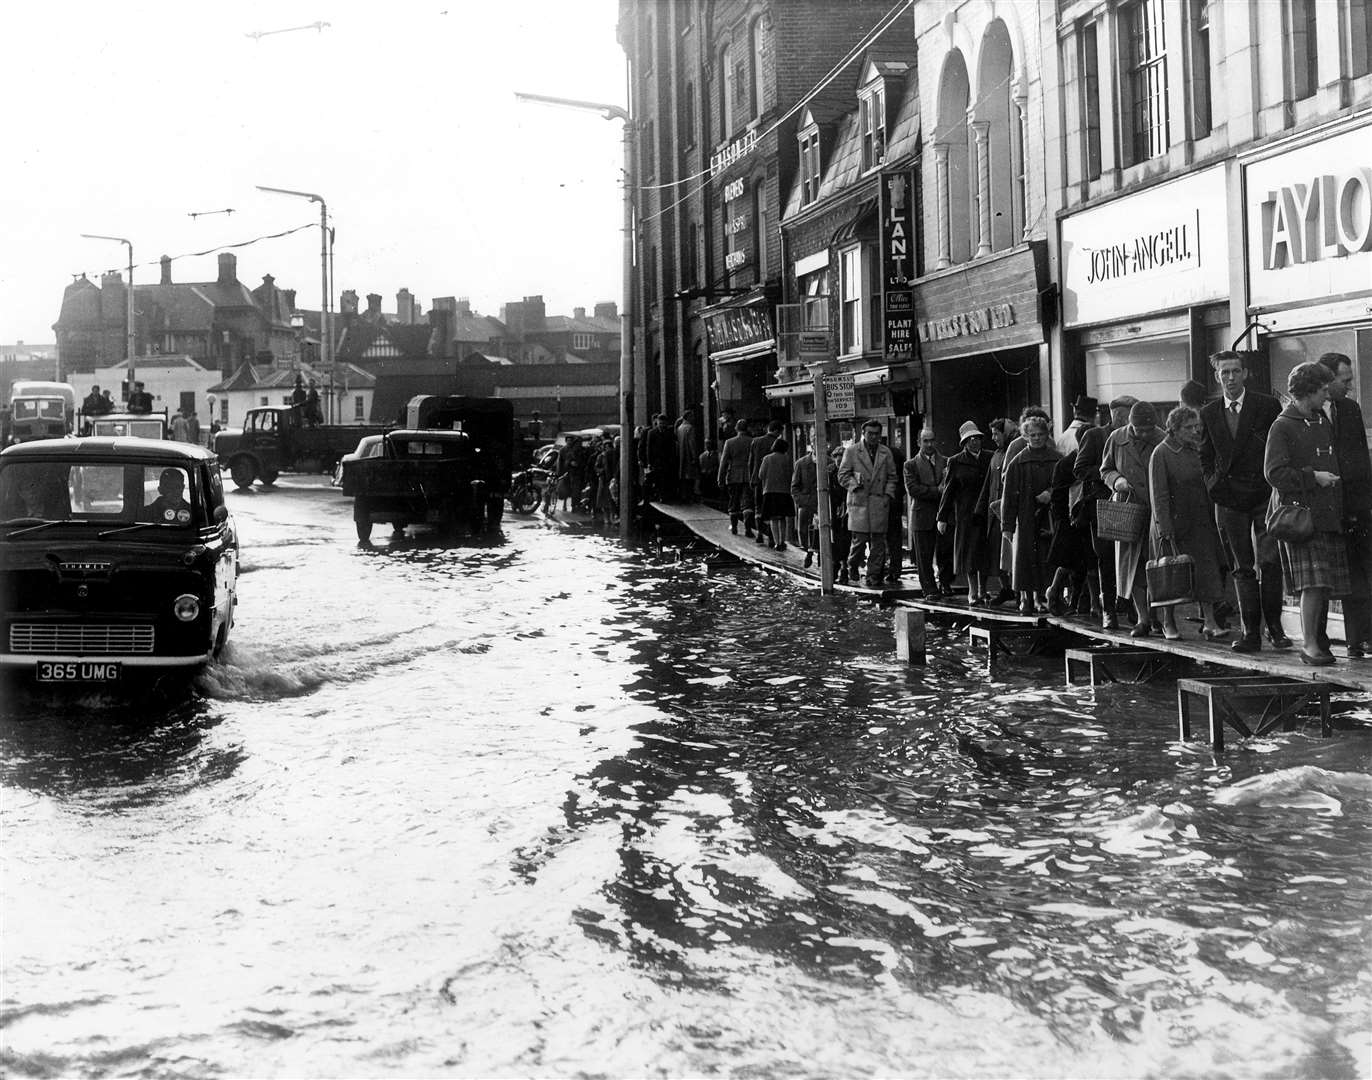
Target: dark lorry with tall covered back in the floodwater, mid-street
449, 467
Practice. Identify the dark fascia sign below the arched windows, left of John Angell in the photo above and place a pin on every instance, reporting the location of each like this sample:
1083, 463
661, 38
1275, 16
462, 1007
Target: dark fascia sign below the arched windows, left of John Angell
991, 304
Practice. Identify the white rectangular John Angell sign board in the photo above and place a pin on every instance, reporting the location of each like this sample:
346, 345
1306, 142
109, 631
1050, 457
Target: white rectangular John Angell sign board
1164, 248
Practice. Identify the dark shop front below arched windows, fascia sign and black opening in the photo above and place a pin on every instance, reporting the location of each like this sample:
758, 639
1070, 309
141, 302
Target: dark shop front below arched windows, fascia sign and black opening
980, 337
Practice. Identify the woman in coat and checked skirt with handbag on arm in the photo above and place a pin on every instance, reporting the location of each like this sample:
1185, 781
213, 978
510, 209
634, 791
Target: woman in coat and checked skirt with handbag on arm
1308, 507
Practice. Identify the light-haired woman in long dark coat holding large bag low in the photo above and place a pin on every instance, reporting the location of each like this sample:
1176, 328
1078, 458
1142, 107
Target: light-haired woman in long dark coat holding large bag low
1183, 518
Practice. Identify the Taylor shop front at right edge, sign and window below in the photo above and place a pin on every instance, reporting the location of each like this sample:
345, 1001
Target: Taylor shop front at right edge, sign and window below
1308, 250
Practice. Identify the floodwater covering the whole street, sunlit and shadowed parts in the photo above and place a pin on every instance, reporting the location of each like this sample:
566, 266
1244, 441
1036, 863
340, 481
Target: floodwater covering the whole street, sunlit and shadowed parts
537, 809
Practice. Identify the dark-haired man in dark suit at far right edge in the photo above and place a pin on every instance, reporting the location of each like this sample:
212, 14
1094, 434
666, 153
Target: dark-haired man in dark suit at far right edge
1351, 451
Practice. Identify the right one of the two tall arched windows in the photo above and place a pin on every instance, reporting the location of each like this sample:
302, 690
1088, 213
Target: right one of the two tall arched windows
995, 76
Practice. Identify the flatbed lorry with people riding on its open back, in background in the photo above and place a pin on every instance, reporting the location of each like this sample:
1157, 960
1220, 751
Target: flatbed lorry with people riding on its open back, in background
276, 440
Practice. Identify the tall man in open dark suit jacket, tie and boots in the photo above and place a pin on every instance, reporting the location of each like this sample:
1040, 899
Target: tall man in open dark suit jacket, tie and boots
1234, 444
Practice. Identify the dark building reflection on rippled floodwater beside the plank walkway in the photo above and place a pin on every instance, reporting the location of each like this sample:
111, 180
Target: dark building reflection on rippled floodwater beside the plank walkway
806, 798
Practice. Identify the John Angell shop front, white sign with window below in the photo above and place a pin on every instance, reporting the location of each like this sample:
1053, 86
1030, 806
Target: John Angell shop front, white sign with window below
1146, 286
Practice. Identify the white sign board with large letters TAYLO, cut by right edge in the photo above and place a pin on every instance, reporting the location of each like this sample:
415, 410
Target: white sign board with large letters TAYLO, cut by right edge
1310, 222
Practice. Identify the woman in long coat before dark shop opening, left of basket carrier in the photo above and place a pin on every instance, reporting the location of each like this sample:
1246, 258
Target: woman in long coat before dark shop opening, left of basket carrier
1024, 514
